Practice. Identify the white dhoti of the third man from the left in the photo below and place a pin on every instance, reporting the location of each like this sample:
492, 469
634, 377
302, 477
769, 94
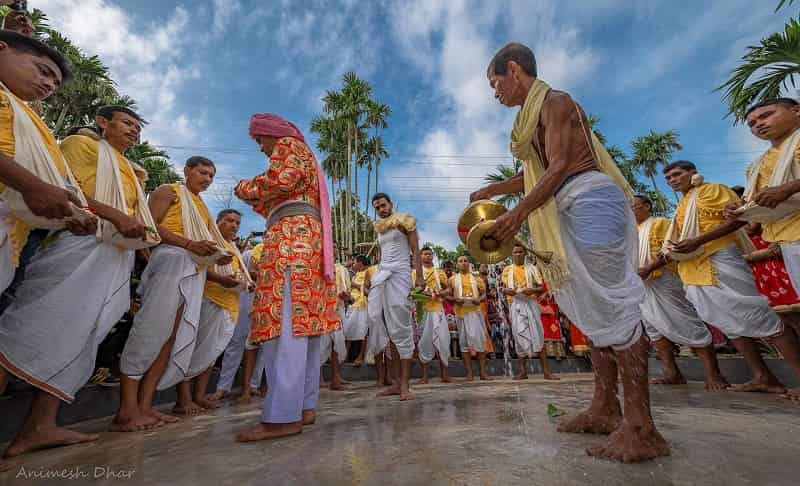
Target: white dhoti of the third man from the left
171, 280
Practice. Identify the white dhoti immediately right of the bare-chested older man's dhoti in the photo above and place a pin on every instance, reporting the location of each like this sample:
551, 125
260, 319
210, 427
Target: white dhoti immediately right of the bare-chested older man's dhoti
668, 313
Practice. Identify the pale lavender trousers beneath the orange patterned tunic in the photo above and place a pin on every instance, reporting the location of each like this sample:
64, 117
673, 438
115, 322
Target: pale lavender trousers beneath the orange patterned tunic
292, 368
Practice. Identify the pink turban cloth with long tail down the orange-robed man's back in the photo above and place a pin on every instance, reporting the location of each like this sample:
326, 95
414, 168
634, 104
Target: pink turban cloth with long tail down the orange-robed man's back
270, 125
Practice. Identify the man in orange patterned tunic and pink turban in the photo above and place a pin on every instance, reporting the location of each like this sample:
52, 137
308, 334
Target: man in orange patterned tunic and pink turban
295, 299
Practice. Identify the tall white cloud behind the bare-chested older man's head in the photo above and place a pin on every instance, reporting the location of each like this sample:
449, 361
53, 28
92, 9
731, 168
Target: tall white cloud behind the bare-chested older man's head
451, 42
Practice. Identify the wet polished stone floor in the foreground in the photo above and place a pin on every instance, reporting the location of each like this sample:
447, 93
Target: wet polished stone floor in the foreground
493, 433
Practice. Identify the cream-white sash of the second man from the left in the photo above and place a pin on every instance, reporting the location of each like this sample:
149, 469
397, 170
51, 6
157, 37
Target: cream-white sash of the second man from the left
108, 190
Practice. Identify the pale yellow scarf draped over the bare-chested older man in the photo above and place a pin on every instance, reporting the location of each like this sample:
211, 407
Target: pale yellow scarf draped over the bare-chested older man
544, 222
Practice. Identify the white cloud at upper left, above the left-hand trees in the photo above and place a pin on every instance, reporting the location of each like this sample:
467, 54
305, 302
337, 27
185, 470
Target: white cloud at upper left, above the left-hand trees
147, 61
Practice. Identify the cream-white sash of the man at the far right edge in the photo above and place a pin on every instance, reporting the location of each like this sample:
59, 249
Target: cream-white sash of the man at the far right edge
785, 171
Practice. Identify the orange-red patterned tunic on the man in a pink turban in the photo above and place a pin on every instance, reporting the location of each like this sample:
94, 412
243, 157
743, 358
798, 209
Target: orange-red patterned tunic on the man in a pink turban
293, 243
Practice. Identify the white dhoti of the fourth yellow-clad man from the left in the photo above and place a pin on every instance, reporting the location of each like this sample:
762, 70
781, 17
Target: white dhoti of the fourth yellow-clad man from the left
214, 332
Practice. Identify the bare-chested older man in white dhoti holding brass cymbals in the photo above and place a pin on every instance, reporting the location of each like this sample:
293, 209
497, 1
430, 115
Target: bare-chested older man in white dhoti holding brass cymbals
584, 218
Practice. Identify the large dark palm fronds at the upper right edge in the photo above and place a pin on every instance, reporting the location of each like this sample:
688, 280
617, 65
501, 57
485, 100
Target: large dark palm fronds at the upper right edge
778, 57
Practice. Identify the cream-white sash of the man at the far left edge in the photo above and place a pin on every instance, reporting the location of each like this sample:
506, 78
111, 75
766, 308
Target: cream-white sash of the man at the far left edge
31, 153
